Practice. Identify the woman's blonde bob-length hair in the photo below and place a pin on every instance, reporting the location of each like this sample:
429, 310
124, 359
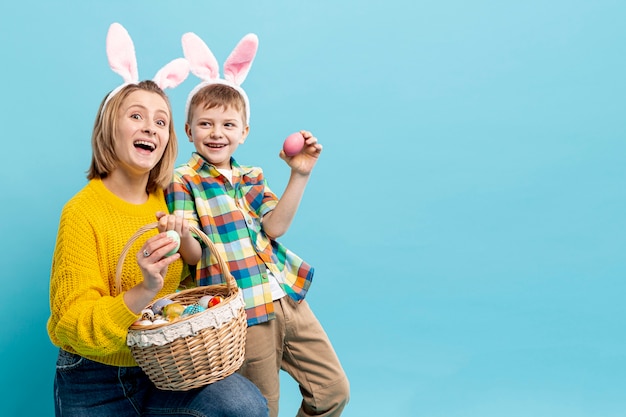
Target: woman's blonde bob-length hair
104, 160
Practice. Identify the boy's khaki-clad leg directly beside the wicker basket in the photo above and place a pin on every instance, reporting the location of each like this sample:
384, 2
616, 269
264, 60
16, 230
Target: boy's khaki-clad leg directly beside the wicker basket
264, 346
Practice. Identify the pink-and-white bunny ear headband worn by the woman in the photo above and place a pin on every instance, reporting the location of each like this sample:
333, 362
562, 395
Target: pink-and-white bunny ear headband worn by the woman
122, 59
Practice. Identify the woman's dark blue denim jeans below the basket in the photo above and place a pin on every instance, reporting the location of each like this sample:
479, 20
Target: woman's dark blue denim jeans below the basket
86, 388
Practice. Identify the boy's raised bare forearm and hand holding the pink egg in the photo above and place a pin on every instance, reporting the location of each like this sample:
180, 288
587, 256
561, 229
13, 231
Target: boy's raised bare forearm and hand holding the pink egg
277, 222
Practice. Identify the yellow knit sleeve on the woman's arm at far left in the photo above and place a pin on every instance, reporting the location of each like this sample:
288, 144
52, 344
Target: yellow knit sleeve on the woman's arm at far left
85, 315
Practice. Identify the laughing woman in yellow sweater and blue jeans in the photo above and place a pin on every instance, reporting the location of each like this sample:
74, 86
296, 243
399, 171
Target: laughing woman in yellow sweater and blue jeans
134, 150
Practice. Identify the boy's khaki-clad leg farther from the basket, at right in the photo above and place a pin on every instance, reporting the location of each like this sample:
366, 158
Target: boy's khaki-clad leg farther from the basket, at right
311, 360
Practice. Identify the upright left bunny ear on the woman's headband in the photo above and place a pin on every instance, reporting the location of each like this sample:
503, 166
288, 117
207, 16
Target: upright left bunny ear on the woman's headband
121, 53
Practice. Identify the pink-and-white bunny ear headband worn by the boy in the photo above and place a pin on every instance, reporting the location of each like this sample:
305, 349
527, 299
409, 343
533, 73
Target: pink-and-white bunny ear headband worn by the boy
203, 65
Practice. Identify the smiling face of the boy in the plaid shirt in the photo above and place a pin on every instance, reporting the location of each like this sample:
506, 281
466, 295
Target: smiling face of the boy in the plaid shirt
217, 133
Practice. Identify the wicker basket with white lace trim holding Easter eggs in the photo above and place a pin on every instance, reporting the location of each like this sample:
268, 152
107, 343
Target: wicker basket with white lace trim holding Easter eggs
198, 349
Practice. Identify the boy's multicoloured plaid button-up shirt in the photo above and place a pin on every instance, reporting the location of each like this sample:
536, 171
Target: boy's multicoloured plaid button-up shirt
230, 215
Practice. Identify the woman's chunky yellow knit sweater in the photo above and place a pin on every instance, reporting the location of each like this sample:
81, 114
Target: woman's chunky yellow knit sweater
87, 317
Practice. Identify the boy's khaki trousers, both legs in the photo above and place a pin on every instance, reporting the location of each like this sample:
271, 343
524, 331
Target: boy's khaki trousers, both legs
296, 343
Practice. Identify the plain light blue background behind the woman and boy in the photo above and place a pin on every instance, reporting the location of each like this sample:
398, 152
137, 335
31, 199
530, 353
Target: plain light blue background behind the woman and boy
466, 218
